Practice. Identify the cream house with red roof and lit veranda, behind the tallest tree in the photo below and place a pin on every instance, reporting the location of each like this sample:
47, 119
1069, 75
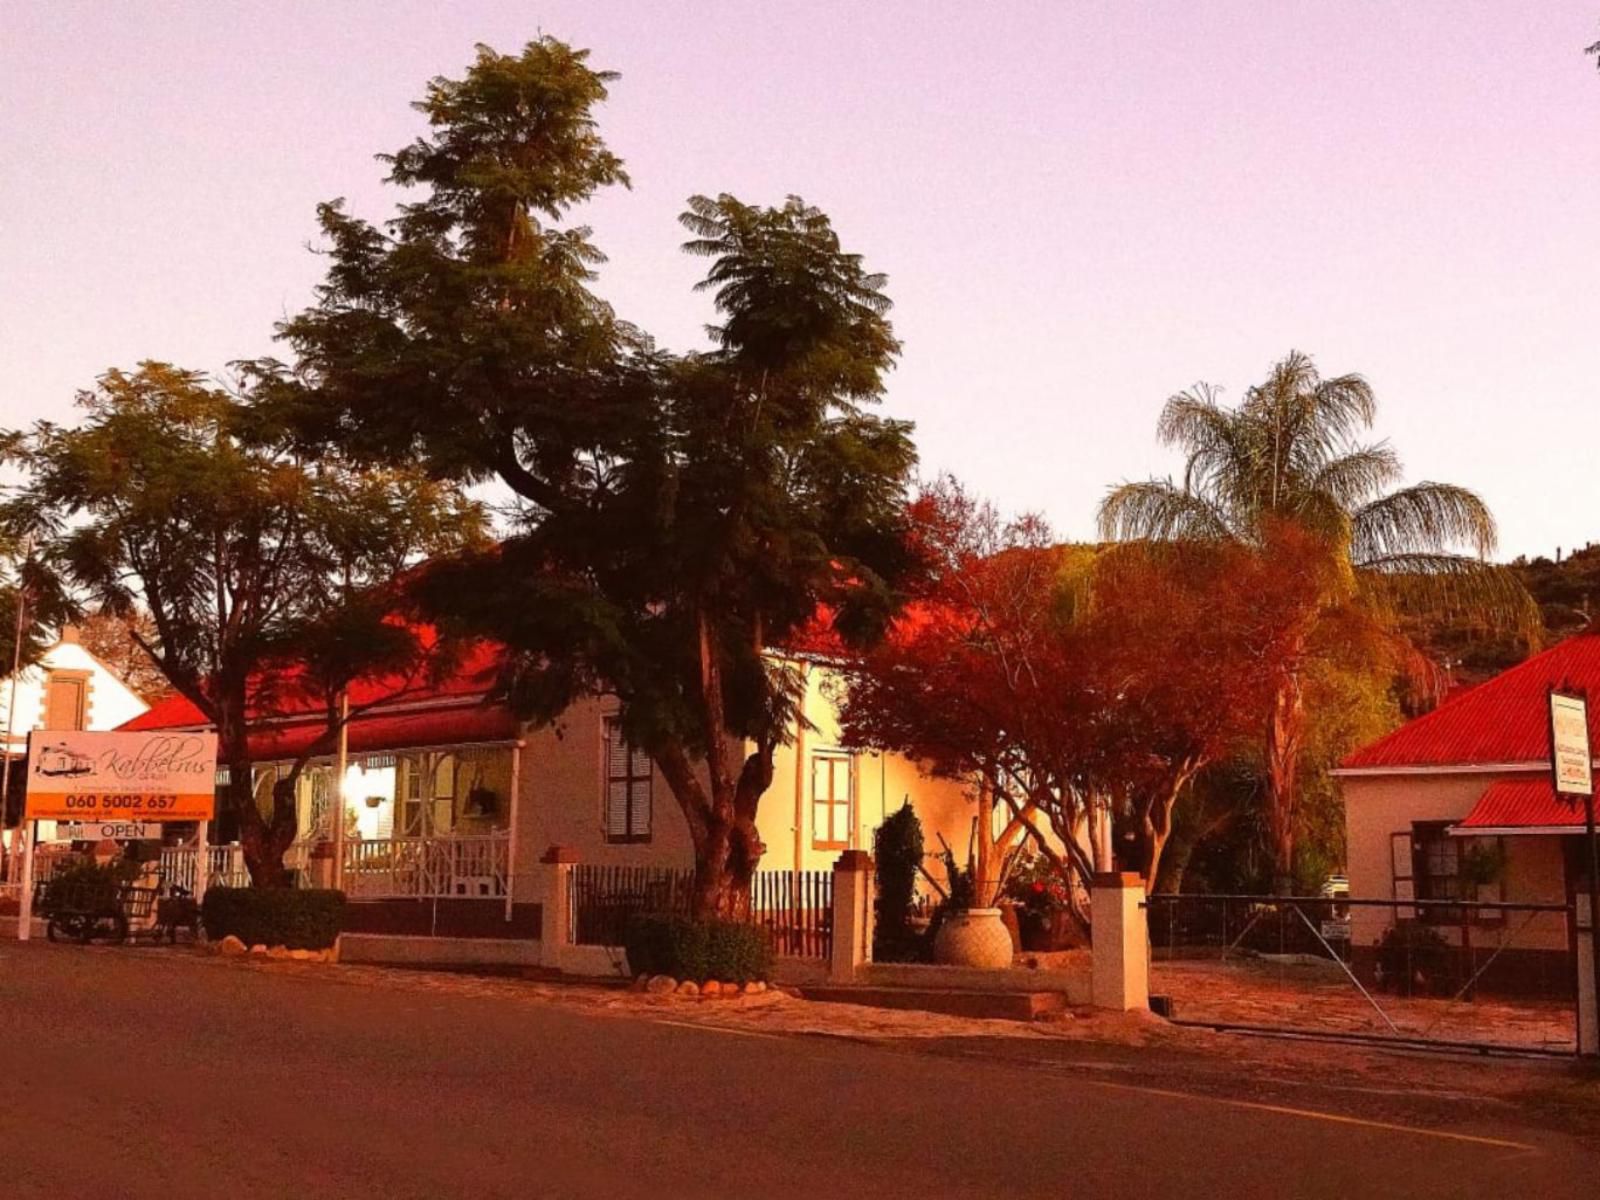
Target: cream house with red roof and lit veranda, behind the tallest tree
452, 801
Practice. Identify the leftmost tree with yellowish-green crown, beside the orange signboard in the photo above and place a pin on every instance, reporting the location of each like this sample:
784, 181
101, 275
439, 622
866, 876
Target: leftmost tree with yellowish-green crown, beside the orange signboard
247, 561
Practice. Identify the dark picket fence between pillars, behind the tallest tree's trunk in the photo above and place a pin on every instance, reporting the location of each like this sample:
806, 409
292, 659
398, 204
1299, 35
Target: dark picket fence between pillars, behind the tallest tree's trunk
798, 911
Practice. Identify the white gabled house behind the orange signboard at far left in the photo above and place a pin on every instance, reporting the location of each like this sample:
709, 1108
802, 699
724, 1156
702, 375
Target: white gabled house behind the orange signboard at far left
68, 689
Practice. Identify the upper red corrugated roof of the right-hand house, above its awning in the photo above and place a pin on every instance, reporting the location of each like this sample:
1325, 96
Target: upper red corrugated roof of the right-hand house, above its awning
1505, 721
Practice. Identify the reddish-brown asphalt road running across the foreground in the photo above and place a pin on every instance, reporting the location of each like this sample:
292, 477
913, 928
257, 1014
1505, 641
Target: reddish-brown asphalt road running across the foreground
154, 1074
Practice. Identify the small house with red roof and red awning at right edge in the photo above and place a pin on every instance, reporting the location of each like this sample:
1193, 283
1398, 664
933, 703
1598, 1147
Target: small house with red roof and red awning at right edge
1460, 806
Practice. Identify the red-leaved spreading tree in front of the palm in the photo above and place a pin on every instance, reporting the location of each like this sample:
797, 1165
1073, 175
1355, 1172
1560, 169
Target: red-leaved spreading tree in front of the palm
1079, 690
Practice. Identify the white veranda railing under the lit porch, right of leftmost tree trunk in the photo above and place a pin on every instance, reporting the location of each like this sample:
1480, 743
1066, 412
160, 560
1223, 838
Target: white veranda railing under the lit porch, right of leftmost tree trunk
428, 868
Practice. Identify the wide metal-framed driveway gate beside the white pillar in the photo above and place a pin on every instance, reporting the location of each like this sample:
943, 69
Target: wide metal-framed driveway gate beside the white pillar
1465, 975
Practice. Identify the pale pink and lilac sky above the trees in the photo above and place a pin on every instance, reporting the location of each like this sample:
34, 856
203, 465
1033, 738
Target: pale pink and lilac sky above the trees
1082, 207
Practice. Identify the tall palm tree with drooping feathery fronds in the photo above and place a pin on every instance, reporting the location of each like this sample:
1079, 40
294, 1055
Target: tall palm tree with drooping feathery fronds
1290, 458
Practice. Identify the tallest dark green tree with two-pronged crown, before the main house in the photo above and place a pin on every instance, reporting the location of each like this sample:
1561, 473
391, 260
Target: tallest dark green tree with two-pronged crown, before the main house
679, 516
